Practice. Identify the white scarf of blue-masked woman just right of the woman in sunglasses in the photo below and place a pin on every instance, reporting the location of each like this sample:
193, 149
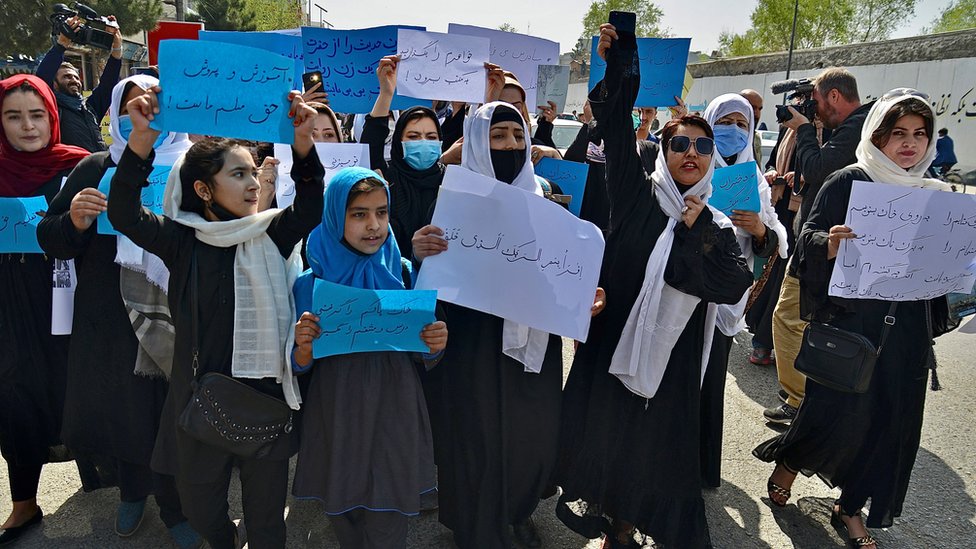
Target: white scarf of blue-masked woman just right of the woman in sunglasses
731, 318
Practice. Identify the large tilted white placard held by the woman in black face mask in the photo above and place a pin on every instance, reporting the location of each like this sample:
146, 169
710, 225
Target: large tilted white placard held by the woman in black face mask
514, 255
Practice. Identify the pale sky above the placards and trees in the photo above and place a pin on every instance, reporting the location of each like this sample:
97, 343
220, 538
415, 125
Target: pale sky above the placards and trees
561, 20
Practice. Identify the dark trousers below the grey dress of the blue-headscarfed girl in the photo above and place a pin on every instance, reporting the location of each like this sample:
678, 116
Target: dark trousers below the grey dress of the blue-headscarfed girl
363, 529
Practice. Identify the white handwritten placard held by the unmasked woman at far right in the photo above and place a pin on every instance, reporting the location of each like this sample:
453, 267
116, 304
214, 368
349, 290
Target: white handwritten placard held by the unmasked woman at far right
911, 244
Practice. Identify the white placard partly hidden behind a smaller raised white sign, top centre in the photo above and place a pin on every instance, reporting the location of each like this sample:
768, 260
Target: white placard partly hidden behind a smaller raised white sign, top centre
519, 53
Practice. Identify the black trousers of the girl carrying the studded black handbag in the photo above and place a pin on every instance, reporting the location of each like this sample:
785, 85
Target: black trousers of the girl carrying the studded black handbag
264, 486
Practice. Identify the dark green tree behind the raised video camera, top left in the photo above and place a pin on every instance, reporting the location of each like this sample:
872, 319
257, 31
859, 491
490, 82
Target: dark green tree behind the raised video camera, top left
29, 29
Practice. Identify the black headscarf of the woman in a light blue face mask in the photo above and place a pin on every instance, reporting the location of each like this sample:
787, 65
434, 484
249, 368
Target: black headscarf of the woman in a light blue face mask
412, 191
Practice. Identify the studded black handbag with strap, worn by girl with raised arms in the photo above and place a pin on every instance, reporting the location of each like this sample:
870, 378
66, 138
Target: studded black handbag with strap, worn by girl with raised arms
226, 413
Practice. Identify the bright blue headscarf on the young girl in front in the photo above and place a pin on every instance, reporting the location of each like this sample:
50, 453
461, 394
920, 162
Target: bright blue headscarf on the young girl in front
333, 260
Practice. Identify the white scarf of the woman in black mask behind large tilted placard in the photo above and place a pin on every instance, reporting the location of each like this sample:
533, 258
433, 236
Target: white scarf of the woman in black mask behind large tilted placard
524, 344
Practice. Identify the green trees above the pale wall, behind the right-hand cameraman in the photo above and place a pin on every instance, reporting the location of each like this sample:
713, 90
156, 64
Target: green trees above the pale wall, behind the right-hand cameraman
819, 24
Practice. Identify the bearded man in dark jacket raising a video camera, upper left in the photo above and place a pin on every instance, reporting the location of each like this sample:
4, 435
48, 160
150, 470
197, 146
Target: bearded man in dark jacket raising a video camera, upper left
80, 117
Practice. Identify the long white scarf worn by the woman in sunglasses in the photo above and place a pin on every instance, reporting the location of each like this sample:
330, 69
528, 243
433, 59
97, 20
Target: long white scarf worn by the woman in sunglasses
660, 313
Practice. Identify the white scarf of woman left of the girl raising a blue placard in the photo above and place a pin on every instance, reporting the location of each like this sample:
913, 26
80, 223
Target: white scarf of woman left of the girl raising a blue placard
128, 255
